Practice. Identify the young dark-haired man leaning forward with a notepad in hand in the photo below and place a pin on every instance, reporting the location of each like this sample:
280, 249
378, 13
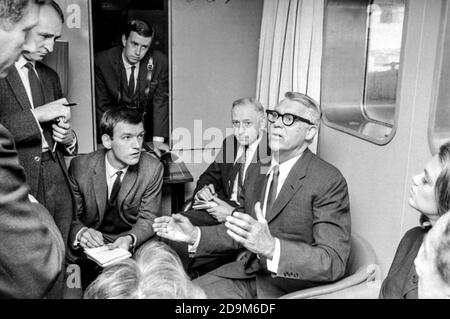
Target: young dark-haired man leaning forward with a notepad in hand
117, 189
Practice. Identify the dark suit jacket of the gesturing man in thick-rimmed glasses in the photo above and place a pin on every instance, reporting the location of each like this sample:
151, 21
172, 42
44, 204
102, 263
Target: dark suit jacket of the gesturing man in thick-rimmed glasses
311, 217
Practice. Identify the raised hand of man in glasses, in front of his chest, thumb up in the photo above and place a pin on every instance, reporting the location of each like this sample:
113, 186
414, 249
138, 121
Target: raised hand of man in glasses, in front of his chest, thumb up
253, 234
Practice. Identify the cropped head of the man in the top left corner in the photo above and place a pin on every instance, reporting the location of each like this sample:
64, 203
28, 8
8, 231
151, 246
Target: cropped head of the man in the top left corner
13, 37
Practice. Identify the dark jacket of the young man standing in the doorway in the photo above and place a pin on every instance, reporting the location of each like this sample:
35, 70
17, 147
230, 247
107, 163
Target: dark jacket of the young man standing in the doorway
111, 88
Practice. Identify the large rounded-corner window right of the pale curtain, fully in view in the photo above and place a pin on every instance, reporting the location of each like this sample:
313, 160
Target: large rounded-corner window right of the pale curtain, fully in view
360, 70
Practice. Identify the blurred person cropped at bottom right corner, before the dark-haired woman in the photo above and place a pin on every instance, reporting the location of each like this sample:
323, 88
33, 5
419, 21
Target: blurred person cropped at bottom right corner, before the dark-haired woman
433, 261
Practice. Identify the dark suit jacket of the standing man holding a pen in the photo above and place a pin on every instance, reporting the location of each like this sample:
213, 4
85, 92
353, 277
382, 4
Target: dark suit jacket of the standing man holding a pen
16, 115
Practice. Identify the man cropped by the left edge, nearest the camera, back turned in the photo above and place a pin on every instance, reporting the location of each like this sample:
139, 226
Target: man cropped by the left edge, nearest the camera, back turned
32, 250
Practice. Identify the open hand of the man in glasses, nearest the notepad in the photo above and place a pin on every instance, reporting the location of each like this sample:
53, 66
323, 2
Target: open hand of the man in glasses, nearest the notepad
176, 227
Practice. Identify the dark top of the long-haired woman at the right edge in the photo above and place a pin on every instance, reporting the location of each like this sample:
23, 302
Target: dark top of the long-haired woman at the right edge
401, 281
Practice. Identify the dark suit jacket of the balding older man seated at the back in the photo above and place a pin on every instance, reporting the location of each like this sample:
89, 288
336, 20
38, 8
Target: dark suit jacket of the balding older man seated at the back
219, 172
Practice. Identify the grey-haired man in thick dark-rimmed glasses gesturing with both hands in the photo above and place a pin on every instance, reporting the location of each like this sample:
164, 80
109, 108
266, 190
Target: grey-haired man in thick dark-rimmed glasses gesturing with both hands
295, 224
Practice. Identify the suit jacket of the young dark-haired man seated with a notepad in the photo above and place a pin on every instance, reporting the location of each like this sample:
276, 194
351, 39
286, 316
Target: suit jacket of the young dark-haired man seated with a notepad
139, 197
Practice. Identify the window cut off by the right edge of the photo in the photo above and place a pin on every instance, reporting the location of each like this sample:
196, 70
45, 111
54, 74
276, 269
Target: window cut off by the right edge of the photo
439, 128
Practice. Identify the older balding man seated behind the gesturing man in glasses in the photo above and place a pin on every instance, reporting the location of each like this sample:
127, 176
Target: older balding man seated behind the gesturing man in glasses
223, 180
